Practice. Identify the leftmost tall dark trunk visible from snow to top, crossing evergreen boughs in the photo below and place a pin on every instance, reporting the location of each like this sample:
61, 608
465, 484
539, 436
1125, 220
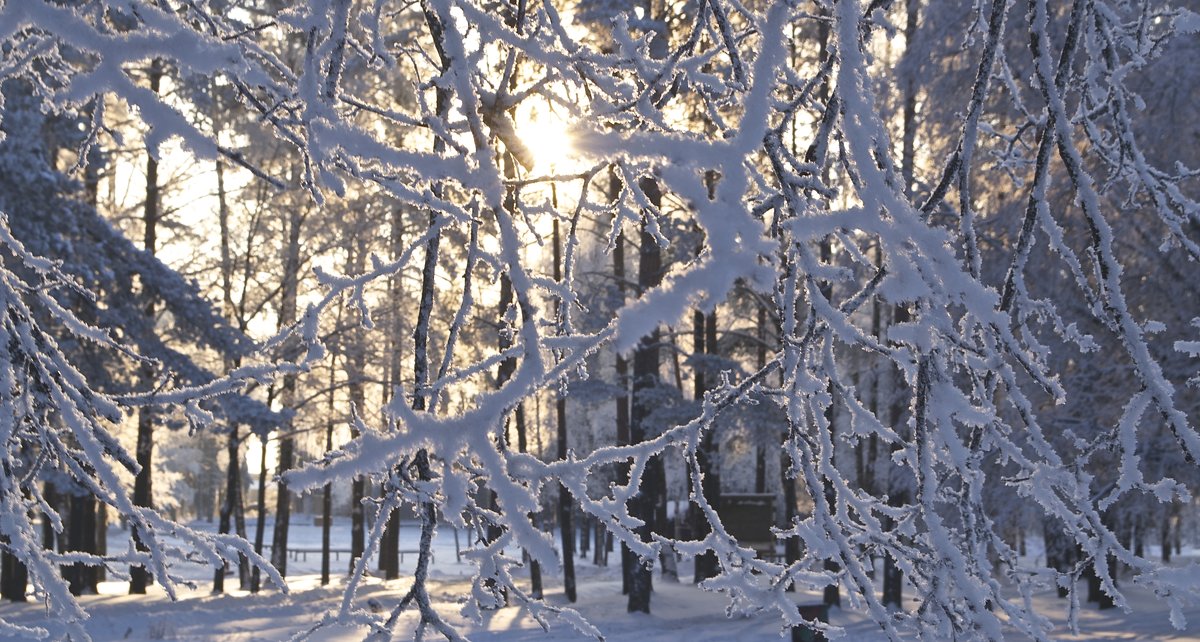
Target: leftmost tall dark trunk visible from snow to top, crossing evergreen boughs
143, 490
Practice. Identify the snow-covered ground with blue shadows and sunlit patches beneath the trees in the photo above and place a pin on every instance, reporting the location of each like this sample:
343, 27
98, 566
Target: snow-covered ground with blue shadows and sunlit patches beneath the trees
681, 611
